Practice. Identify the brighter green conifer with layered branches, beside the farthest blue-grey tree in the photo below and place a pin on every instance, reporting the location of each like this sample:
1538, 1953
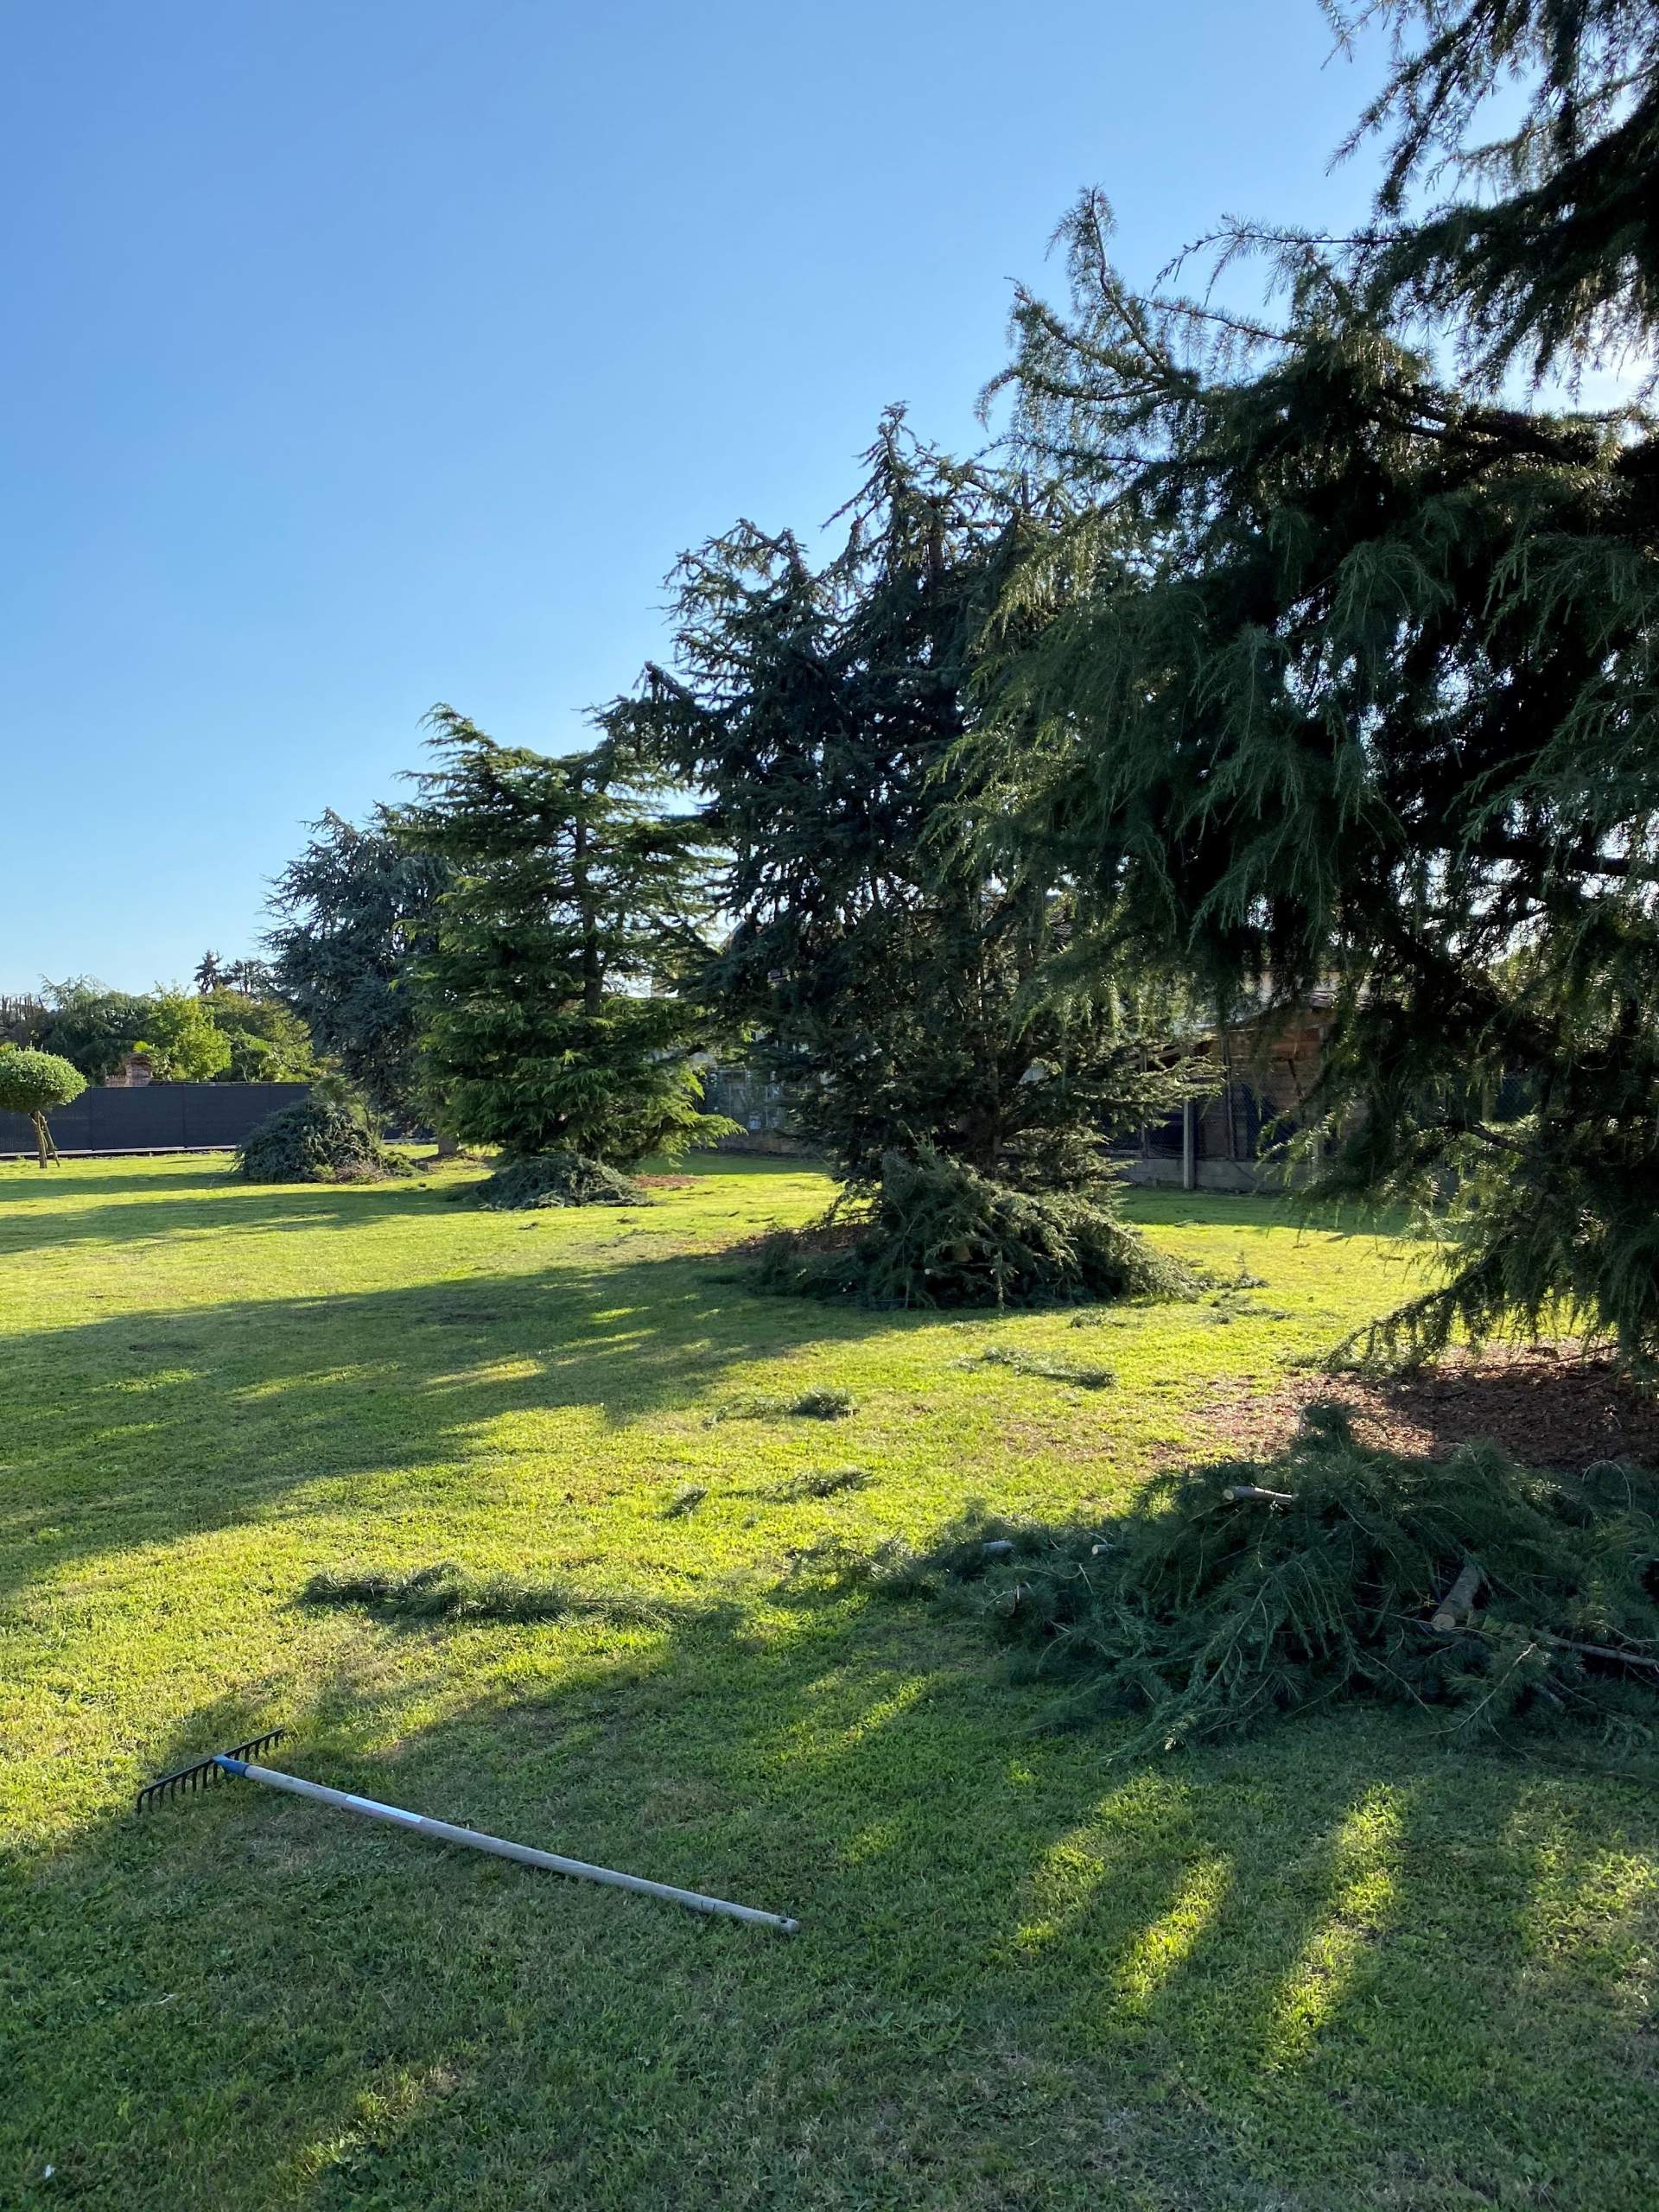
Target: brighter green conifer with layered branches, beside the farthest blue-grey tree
552, 1010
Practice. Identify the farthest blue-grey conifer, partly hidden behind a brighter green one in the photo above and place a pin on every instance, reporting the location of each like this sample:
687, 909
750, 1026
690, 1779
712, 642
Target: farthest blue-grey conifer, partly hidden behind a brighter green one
355, 917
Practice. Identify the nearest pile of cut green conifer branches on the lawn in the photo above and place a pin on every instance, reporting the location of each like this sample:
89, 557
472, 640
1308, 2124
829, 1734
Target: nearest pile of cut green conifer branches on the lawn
1207, 1616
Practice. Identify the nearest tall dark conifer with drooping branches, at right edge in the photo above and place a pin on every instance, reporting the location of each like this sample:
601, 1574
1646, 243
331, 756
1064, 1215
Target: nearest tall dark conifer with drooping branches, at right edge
1346, 676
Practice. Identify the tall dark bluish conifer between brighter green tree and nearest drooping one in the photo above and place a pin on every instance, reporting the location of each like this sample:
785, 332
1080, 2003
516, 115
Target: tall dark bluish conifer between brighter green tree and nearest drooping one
901, 990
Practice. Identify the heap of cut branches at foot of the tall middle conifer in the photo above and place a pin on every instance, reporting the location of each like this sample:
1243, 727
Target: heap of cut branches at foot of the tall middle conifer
937, 1233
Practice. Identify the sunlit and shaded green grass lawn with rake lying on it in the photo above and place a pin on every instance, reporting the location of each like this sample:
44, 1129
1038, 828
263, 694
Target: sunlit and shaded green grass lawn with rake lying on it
1333, 1968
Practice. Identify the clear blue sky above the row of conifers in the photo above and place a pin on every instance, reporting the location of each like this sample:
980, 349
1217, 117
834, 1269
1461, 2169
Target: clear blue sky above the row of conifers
373, 353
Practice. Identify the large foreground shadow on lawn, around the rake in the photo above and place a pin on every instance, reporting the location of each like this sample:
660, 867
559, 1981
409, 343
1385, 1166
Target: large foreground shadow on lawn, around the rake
1333, 1972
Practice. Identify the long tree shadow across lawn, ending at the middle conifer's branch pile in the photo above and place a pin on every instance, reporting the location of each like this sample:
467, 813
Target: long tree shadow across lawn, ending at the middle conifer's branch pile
154, 1426
